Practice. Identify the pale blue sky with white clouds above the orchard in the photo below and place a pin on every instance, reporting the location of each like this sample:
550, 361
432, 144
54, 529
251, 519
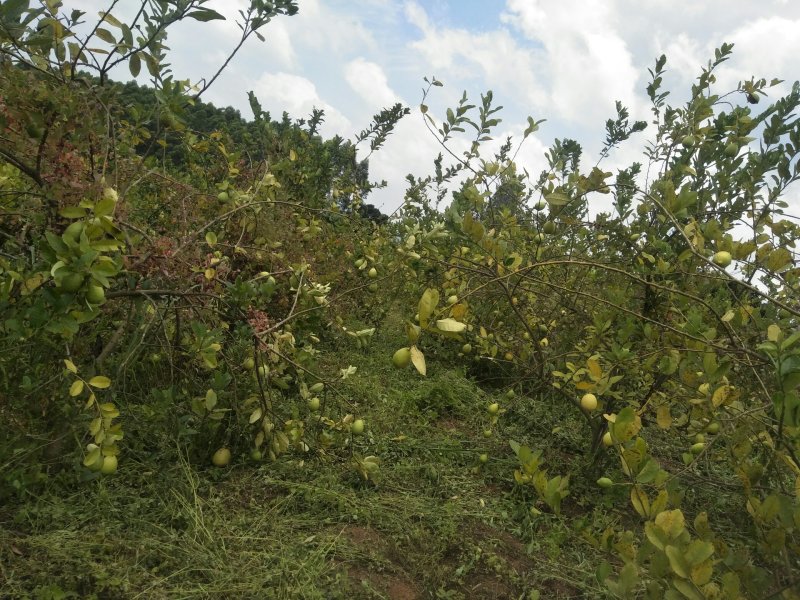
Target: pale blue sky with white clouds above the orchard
566, 61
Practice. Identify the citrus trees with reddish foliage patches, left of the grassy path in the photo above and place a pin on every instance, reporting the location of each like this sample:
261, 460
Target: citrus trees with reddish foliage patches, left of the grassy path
157, 270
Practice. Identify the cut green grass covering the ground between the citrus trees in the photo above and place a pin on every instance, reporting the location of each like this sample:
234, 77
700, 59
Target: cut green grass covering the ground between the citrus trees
436, 525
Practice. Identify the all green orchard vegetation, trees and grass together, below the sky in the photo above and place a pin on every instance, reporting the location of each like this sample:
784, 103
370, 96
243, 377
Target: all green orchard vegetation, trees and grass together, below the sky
197, 401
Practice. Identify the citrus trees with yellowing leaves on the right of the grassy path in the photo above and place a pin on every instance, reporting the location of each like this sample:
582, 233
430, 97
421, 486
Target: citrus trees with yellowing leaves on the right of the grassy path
668, 324
